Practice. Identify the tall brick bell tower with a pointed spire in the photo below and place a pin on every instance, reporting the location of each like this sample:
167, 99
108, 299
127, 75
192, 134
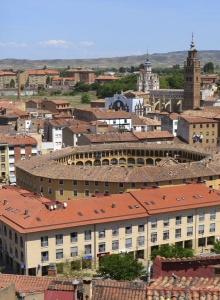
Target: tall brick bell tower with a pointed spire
191, 98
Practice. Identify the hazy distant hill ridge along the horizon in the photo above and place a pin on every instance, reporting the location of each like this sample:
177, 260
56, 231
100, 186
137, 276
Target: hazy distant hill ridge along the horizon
157, 59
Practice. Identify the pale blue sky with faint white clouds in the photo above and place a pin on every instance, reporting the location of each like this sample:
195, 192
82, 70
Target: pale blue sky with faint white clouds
86, 29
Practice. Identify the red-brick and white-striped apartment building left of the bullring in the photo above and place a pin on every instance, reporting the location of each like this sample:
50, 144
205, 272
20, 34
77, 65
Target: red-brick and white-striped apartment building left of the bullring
20, 147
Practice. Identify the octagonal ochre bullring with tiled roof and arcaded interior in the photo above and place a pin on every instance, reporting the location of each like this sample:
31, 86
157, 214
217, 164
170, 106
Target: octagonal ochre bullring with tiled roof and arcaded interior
78, 172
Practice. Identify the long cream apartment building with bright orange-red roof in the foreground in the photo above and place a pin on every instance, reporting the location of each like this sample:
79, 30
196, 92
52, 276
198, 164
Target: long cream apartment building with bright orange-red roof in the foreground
36, 231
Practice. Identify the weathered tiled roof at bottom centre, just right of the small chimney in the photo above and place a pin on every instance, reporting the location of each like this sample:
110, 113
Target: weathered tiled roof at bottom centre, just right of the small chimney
127, 290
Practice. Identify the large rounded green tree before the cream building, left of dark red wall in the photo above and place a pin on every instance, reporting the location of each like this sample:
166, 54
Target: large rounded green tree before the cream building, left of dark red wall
120, 267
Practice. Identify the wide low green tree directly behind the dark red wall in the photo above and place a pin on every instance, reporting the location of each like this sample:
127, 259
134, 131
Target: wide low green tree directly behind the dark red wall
170, 251
